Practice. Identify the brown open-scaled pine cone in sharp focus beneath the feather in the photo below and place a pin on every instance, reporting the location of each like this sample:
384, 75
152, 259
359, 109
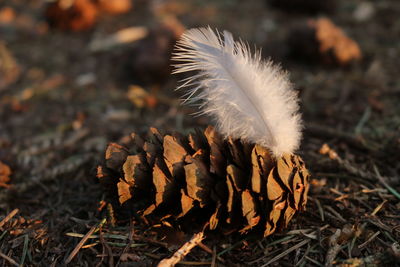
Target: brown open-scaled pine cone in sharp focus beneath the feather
202, 179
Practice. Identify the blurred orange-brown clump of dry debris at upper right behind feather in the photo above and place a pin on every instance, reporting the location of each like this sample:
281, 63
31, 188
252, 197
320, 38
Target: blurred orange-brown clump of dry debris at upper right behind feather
323, 40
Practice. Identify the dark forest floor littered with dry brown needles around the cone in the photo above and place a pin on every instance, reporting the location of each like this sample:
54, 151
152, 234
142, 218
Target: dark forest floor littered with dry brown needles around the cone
61, 103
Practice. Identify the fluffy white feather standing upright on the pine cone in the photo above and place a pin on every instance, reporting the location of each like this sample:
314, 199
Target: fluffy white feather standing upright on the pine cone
248, 98
